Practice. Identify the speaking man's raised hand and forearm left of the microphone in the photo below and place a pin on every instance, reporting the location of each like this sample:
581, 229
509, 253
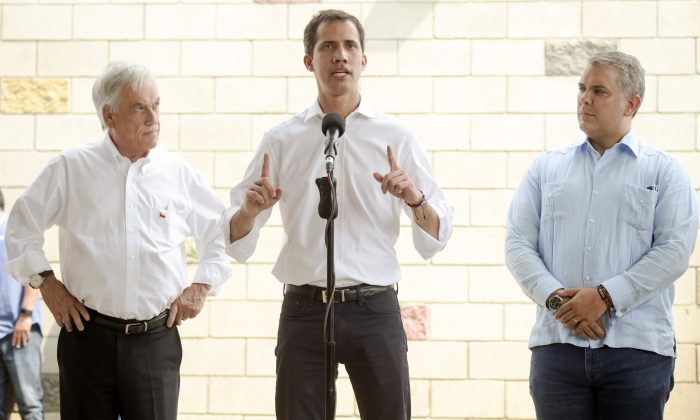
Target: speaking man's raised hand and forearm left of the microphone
260, 196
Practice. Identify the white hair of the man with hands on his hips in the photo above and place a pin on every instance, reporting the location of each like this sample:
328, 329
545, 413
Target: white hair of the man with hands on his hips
108, 87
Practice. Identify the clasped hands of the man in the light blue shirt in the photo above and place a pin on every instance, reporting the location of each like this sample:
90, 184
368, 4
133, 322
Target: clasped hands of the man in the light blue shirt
585, 306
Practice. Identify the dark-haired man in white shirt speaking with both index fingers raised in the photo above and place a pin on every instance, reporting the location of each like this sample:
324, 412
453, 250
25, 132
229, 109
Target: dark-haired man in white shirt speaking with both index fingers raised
381, 171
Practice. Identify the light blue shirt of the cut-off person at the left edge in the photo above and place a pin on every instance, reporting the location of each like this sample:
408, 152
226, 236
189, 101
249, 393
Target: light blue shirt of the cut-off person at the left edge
11, 292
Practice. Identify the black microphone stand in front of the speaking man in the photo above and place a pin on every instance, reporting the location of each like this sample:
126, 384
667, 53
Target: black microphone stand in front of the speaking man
328, 209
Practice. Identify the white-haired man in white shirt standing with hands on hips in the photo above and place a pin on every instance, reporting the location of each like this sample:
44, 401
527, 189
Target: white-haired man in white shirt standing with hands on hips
124, 208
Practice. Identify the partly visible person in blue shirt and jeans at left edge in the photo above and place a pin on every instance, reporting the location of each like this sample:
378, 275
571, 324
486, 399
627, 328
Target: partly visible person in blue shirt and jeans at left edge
20, 339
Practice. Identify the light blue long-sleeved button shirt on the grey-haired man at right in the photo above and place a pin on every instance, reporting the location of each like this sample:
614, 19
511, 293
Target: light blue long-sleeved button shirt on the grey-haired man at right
627, 220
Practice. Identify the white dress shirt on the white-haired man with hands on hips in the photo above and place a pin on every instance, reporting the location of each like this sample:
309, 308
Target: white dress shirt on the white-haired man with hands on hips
122, 228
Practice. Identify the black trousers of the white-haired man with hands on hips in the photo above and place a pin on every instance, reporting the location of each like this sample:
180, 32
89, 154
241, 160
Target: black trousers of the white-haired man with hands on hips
105, 373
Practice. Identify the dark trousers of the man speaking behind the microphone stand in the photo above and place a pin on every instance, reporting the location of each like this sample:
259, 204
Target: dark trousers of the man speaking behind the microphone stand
370, 342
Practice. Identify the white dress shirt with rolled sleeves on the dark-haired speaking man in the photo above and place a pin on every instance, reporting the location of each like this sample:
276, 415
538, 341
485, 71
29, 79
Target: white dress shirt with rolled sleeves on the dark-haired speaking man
367, 225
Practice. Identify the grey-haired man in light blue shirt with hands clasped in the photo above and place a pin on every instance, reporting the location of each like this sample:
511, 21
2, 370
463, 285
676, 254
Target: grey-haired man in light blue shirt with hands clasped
597, 234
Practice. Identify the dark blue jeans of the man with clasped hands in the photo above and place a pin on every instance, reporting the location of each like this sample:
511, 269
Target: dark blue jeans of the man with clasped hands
580, 383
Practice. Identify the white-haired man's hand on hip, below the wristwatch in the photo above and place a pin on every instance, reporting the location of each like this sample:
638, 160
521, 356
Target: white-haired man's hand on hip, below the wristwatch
65, 308
